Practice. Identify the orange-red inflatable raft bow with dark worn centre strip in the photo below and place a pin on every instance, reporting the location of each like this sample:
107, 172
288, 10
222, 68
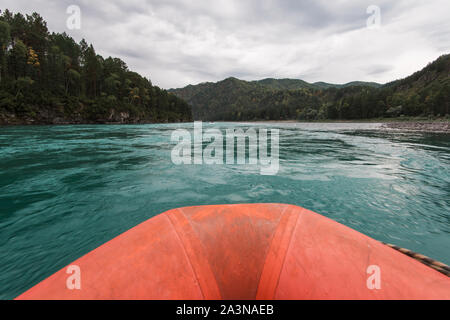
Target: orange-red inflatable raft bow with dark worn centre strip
261, 251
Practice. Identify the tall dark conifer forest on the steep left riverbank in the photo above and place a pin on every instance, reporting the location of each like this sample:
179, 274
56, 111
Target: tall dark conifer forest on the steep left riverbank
48, 78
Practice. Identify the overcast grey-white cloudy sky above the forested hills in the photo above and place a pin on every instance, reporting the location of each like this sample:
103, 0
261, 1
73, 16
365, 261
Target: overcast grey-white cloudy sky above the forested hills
180, 42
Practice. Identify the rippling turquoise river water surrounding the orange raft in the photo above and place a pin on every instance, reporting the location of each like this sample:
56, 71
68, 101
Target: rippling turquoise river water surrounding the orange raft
65, 190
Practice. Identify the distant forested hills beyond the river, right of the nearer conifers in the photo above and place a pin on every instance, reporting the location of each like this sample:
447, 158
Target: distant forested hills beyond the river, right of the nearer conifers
425, 93
